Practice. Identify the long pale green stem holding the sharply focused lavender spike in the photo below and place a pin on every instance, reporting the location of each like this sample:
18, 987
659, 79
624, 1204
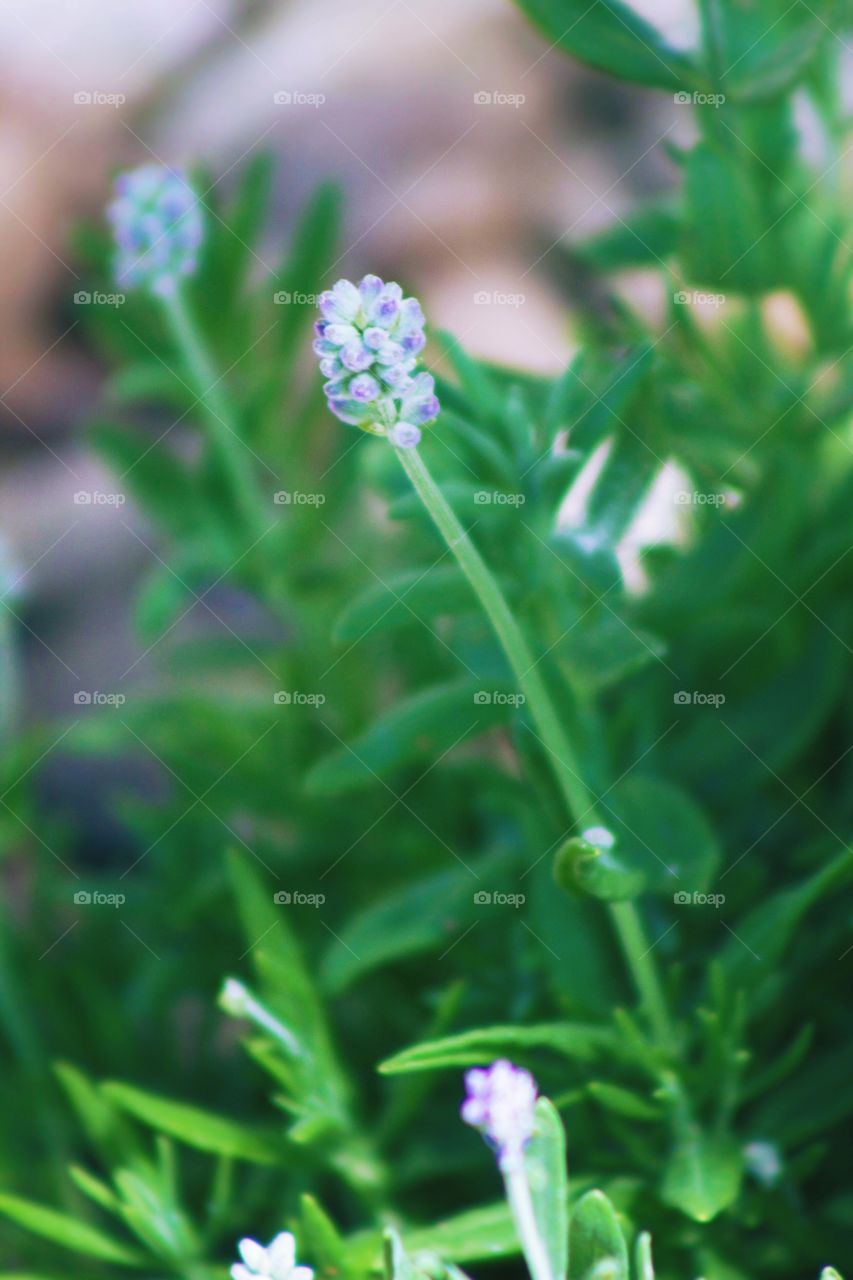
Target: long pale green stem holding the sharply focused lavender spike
580, 799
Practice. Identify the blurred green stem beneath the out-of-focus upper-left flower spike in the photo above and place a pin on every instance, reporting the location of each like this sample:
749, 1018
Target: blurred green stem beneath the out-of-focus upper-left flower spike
226, 440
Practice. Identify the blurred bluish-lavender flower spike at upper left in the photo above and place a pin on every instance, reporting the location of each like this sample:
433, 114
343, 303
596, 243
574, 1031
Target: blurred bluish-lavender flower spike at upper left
158, 230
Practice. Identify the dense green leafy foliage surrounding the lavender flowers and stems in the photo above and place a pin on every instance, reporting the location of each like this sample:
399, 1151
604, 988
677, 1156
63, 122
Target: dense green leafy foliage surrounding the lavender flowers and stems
361, 829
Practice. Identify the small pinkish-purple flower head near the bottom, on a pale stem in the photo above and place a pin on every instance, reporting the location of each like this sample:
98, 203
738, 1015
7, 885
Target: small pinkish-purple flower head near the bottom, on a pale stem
500, 1103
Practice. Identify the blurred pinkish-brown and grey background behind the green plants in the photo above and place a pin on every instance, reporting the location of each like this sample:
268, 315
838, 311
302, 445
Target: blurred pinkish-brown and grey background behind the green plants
471, 154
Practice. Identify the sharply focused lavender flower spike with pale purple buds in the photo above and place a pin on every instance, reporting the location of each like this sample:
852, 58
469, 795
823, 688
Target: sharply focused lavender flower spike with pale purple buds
368, 342
